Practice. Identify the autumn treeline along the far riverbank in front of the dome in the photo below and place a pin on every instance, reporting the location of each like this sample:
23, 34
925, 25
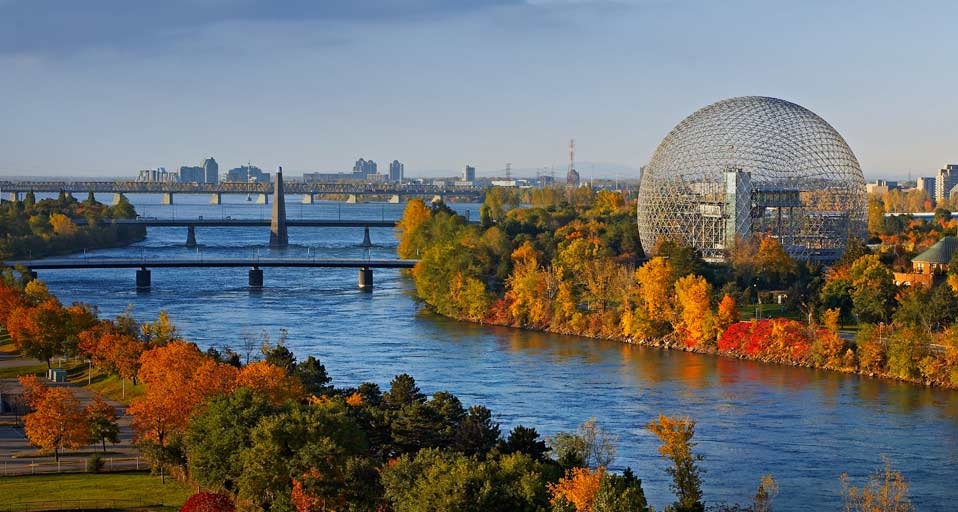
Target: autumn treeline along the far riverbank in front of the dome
571, 263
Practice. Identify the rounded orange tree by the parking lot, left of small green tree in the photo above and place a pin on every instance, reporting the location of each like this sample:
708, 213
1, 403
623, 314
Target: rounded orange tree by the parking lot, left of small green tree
57, 422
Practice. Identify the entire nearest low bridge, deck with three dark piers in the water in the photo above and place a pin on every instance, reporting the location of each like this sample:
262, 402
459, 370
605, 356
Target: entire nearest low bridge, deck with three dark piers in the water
256, 265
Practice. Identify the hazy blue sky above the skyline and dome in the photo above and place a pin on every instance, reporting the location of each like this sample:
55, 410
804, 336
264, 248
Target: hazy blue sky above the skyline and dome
108, 87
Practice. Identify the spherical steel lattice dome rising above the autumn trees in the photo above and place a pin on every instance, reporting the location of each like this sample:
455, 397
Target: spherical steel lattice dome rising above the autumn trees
753, 166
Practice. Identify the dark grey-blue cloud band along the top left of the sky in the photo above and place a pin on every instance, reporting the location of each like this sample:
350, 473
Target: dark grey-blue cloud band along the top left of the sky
67, 26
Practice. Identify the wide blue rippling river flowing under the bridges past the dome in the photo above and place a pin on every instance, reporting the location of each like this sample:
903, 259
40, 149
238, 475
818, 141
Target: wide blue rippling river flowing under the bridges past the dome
803, 426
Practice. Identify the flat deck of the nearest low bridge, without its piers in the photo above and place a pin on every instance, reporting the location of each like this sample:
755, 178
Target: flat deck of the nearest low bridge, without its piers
81, 263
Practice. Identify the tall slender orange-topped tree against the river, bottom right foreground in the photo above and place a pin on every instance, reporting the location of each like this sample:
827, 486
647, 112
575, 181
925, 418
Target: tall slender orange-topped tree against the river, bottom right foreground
675, 436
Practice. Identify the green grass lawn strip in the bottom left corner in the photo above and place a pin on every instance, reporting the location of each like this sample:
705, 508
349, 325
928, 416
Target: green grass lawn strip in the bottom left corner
130, 490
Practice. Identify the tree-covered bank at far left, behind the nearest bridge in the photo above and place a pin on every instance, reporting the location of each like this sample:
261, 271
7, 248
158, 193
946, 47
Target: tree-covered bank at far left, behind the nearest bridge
36, 229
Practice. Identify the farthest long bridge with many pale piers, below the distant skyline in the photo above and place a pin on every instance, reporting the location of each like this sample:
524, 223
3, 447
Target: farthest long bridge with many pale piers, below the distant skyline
394, 193
